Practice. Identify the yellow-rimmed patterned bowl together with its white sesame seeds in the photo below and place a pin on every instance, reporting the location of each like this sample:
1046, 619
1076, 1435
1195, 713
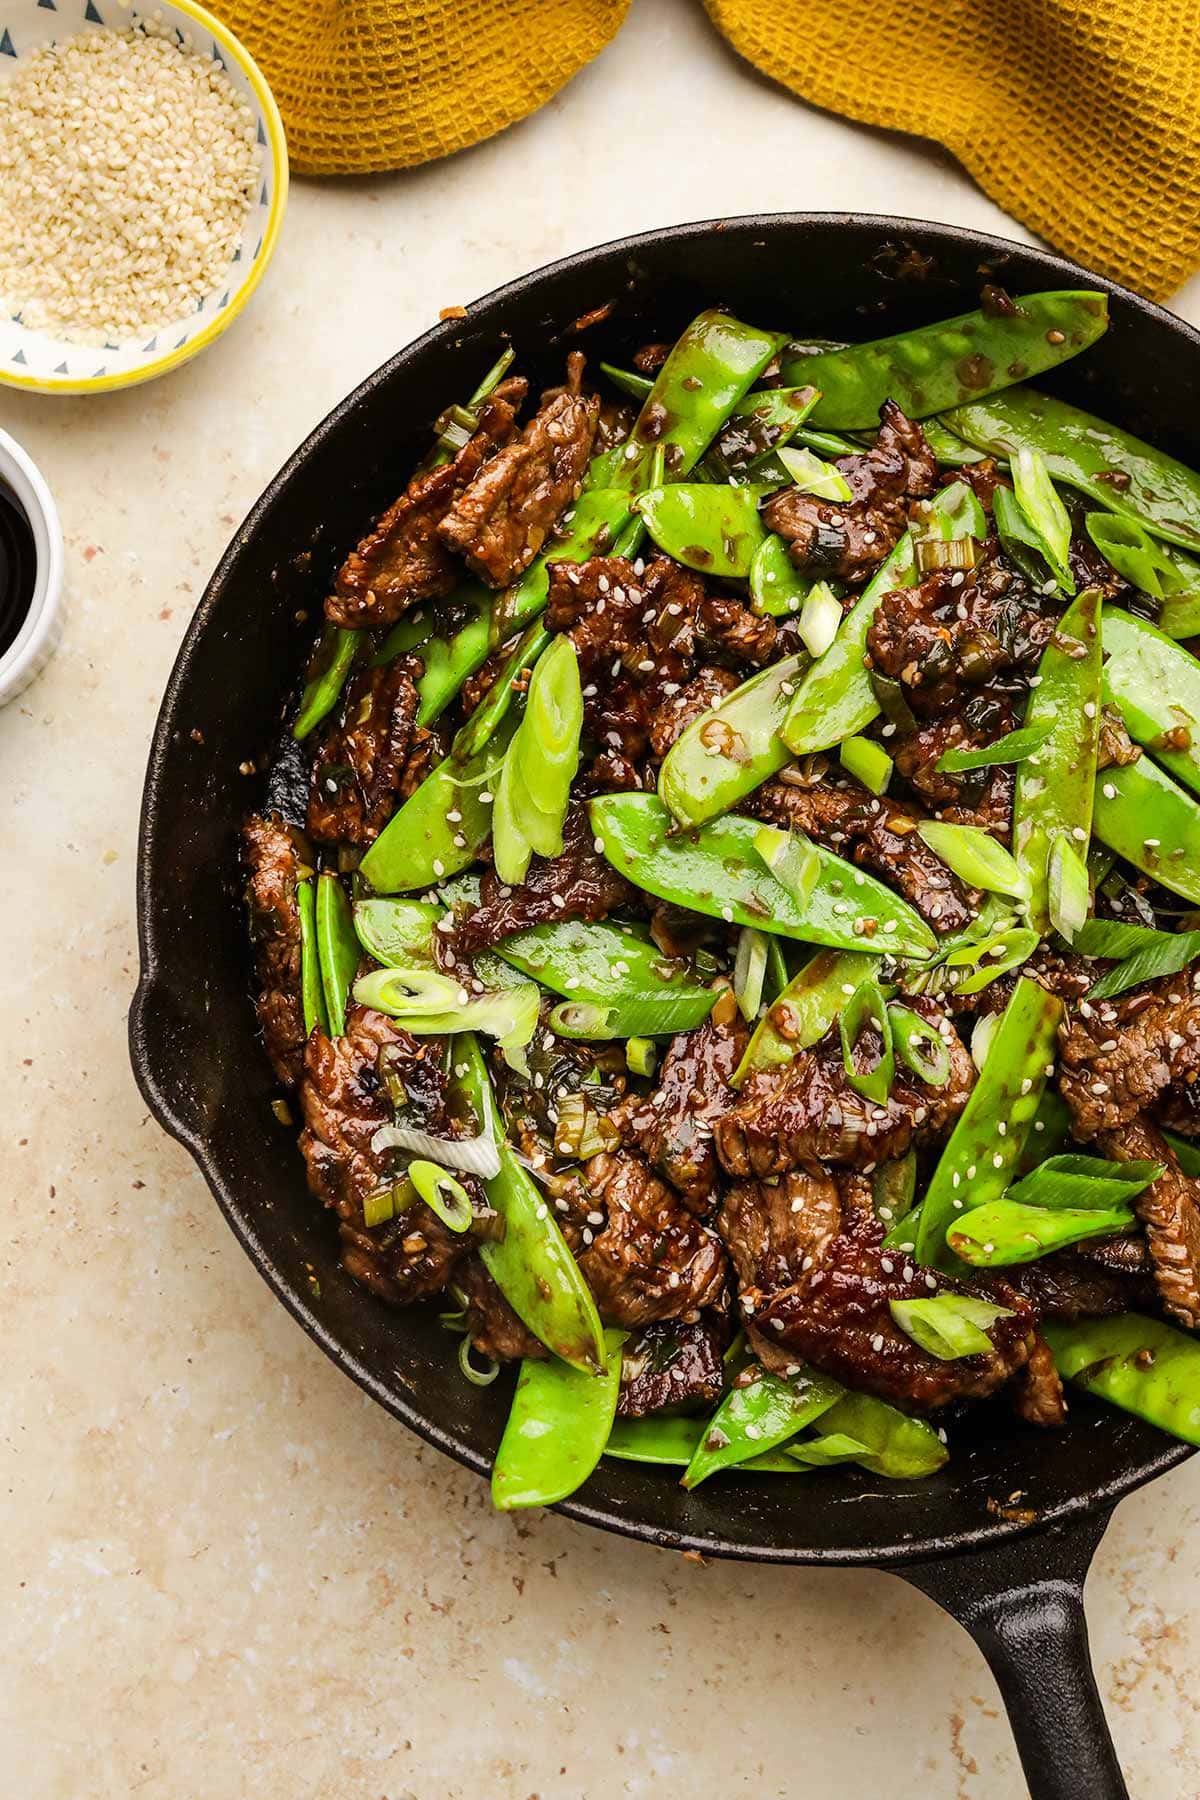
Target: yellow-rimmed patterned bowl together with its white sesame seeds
143, 184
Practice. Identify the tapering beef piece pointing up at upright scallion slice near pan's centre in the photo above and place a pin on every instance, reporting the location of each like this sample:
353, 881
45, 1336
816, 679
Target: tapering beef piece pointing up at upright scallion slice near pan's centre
674, 1124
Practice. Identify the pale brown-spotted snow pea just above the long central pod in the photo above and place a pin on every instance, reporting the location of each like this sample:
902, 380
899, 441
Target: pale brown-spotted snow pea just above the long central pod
735, 748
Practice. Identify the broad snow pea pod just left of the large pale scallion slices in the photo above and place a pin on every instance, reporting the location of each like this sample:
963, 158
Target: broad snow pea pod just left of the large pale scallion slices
442, 827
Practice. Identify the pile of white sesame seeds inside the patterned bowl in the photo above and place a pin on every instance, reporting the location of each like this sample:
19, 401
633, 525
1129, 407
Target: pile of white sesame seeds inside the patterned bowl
127, 174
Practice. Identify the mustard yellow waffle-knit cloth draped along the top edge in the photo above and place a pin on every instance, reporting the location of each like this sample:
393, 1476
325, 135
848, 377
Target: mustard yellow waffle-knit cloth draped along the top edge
1080, 118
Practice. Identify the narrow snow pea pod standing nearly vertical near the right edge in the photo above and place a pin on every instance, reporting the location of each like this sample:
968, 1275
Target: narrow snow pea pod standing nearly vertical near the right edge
1055, 786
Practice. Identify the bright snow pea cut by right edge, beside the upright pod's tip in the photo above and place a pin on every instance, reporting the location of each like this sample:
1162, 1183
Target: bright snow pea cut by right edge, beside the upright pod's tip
1156, 687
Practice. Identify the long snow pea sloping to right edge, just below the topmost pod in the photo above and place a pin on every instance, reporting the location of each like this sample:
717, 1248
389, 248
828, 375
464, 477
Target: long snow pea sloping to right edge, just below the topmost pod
1086, 453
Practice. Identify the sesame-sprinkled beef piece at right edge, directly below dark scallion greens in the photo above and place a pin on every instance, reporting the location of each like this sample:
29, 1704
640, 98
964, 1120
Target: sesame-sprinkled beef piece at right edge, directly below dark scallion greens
1120, 1056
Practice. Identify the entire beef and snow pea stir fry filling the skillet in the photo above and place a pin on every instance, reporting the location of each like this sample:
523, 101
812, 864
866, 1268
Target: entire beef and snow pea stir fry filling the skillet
730, 910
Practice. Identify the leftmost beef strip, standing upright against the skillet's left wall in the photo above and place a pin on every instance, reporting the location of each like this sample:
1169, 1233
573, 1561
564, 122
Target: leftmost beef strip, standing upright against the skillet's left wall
274, 856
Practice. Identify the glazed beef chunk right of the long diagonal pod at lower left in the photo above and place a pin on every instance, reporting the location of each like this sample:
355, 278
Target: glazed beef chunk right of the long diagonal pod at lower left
650, 1259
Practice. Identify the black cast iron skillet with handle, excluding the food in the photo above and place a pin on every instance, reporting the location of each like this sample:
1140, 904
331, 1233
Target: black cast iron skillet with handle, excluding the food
1012, 1579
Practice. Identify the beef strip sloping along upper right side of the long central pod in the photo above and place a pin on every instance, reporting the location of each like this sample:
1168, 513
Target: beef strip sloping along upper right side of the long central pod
879, 834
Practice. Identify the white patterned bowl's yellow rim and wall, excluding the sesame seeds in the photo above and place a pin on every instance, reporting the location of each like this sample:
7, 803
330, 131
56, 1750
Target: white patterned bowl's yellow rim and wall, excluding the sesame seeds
53, 364
